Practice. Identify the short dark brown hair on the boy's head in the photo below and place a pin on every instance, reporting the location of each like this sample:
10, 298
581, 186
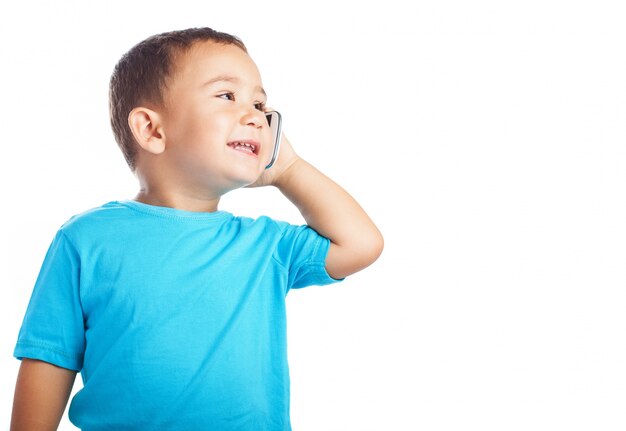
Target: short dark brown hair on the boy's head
140, 77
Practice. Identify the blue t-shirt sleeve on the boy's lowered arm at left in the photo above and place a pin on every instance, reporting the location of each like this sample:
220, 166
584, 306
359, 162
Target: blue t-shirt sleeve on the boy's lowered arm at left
53, 327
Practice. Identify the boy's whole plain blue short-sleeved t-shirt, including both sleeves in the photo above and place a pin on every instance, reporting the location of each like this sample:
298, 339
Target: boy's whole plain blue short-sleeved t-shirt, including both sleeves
175, 319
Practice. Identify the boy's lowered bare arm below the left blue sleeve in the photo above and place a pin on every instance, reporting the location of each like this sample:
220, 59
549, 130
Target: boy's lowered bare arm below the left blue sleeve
41, 394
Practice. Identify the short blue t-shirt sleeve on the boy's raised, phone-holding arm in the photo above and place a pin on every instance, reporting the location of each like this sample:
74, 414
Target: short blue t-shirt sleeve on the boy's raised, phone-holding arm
303, 252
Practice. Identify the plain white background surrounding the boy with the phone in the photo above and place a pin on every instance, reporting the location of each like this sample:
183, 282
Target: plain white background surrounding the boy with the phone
485, 138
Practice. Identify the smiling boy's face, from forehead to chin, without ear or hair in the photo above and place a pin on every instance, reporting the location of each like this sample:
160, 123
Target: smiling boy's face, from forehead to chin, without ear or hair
217, 135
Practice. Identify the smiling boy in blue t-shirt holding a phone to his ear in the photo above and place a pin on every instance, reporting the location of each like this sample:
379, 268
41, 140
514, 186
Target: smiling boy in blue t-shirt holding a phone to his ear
174, 311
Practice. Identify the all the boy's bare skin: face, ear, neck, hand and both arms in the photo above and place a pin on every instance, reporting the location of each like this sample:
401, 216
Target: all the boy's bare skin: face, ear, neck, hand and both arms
185, 162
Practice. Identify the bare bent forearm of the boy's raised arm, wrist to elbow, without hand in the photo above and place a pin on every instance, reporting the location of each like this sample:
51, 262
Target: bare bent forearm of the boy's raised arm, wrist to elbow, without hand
333, 213
